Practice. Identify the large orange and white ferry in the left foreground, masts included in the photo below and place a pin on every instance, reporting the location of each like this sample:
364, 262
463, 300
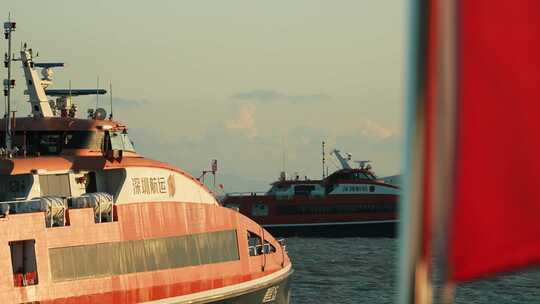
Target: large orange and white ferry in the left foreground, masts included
85, 219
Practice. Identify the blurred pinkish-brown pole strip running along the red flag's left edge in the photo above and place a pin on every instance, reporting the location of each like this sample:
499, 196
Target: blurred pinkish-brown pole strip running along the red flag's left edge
445, 141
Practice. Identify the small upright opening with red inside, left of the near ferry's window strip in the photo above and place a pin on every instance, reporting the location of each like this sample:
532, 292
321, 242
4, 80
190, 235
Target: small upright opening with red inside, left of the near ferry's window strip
23, 262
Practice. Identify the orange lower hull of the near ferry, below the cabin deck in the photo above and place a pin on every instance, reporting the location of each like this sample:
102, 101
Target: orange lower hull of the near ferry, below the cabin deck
200, 283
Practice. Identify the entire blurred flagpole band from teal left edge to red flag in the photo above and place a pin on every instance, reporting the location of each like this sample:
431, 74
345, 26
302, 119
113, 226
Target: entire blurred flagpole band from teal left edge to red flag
429, 151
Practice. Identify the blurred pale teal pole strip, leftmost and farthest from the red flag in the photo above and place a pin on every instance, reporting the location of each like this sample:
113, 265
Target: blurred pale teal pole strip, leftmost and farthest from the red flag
410, 207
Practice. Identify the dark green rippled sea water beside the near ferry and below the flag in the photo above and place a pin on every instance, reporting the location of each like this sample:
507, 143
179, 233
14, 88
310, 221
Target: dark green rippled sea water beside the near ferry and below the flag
361, 270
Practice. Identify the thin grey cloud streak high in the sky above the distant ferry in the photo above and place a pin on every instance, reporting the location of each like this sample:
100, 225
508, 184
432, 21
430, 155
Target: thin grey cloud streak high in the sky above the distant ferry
275, 96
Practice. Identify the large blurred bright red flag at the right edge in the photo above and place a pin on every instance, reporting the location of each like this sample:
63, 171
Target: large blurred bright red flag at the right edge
496, 213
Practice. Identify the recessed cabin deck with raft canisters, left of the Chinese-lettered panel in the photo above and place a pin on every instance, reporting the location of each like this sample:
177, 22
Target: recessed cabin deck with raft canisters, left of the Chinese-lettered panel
54, 192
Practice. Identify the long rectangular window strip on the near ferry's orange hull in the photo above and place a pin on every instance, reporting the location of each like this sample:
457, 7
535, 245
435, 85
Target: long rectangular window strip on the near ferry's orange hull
106, 259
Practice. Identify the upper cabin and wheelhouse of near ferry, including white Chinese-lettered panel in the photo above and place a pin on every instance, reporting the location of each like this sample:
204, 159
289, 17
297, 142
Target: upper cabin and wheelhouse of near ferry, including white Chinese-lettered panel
61, 163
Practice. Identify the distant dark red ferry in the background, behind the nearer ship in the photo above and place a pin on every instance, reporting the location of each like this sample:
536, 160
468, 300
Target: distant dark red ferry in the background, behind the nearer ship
351, 201
